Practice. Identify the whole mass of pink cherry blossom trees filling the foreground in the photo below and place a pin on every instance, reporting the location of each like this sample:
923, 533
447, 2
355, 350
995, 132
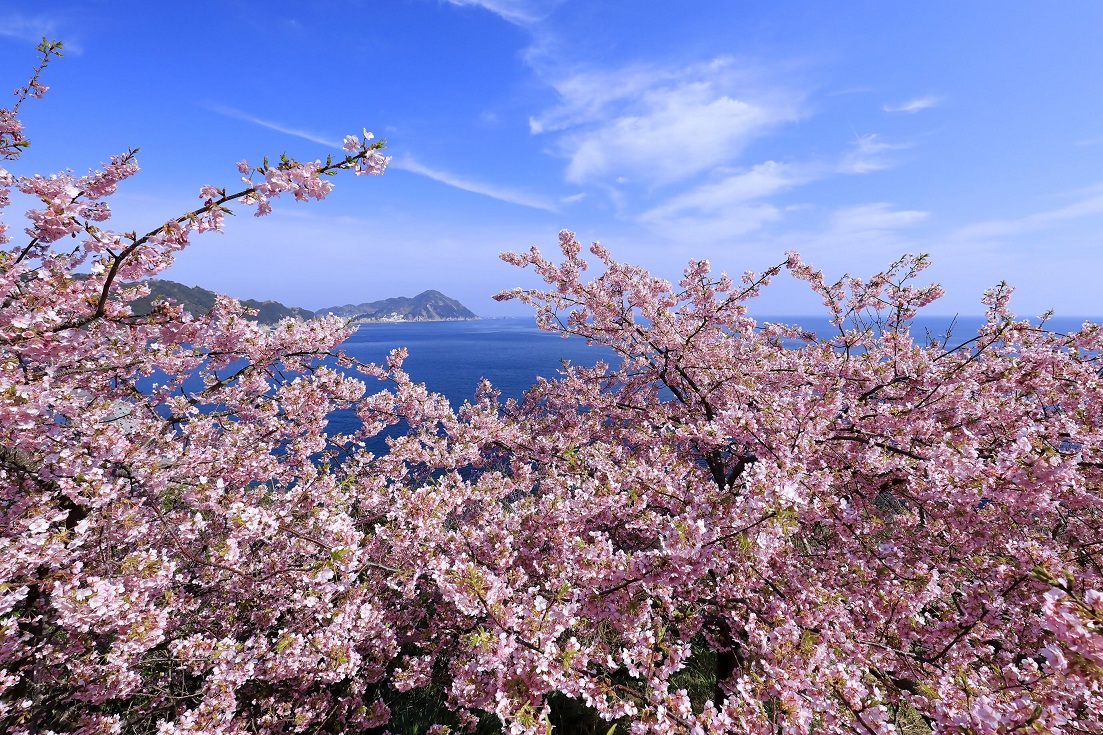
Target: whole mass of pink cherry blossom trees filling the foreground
740, 528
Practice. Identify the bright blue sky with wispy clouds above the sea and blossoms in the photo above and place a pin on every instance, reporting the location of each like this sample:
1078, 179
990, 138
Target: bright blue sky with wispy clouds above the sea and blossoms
730, 131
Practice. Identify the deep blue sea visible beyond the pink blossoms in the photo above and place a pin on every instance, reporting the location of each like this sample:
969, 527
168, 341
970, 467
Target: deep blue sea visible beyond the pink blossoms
453, 357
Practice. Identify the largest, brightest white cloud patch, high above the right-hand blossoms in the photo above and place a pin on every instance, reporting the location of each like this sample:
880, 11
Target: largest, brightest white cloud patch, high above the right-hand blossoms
660, 125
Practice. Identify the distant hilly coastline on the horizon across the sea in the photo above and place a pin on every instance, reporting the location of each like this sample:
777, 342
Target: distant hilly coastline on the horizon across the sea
429, 306
